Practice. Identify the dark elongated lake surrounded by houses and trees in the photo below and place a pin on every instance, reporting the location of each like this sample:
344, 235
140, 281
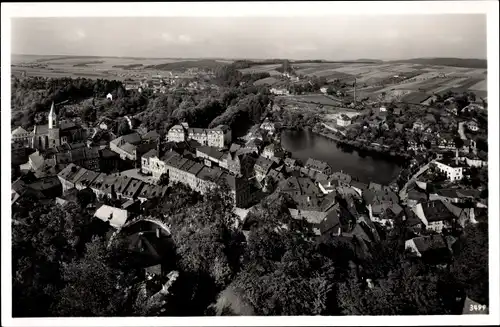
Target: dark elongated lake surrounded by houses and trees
306, 144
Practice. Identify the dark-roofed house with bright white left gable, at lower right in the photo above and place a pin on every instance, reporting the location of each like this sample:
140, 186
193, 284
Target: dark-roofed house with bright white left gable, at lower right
435, 215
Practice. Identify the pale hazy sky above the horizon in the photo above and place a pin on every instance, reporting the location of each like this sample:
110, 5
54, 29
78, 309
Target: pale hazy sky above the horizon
337, 37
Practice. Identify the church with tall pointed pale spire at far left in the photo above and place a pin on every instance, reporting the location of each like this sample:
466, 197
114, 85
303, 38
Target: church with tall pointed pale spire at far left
56, 133
